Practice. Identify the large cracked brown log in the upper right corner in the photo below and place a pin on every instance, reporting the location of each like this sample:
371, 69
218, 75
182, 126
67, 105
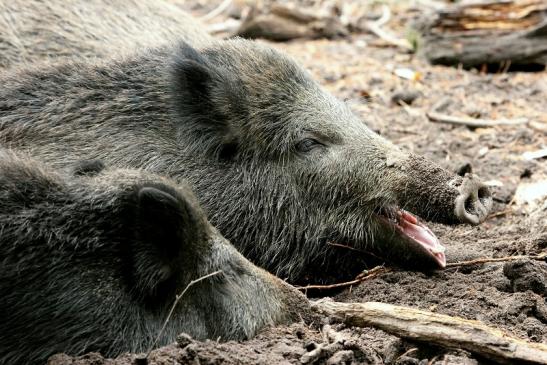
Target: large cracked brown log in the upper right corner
490, 32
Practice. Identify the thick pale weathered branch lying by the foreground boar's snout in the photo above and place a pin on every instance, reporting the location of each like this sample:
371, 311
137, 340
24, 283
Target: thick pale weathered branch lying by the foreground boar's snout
434, 328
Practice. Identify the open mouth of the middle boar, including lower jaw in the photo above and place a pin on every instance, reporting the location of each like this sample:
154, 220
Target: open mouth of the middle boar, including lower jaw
416, 235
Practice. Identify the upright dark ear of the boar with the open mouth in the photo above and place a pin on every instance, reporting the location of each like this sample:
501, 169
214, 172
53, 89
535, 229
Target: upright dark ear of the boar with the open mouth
207, 99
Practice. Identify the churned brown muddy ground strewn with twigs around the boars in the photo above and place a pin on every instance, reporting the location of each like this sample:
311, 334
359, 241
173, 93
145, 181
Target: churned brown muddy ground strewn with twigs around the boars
511, 296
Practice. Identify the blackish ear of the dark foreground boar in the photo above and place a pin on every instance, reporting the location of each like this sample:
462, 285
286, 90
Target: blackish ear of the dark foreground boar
167, 229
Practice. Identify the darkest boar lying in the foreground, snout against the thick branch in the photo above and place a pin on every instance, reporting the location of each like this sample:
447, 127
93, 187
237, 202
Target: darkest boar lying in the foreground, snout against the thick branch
93, 263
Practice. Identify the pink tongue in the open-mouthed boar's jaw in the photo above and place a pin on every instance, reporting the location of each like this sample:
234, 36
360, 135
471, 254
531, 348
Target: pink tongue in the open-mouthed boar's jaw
423, 235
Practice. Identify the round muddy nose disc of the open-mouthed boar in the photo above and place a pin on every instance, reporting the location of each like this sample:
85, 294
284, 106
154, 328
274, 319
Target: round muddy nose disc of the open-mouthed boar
474, 201
